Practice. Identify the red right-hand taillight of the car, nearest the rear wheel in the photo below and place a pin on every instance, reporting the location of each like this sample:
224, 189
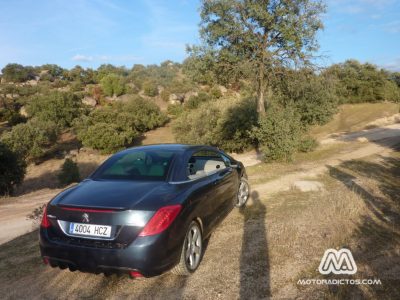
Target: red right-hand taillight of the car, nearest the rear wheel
161, 220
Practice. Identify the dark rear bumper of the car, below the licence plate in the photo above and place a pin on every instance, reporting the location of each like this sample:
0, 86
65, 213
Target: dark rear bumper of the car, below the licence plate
146, 255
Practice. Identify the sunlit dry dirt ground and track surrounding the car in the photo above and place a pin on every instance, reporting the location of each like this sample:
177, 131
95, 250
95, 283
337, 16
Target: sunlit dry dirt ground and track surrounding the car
345, 198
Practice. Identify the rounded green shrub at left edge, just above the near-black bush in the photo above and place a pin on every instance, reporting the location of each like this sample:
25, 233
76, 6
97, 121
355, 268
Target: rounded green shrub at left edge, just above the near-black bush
32, 139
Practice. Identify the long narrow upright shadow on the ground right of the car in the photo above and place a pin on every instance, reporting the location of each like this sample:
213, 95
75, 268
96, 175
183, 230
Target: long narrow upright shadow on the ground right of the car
254, 260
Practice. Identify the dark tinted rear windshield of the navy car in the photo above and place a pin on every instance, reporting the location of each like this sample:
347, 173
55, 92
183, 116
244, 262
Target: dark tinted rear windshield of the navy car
136, 165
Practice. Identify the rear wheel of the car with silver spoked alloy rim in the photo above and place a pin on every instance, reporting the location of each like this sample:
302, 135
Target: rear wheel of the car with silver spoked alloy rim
192, 251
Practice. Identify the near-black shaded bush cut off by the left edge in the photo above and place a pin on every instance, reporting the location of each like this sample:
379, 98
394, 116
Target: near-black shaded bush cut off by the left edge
12, 169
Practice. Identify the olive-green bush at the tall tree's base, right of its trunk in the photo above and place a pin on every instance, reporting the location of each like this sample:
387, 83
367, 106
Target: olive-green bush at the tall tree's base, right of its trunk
279, 133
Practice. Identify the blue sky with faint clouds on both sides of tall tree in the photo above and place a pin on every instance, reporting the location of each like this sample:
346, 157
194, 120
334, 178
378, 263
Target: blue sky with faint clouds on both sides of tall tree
93, 32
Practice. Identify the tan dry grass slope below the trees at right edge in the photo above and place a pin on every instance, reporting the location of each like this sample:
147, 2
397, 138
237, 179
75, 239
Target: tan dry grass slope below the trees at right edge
353, 117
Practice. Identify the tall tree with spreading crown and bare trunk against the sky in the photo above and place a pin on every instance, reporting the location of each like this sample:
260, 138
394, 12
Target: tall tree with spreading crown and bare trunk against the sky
263, 34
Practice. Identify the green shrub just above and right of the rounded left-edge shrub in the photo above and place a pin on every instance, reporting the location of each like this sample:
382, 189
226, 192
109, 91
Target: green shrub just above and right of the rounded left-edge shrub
58, 107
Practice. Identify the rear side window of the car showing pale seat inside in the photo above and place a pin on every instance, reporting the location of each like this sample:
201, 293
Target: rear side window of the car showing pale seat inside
204, 163
